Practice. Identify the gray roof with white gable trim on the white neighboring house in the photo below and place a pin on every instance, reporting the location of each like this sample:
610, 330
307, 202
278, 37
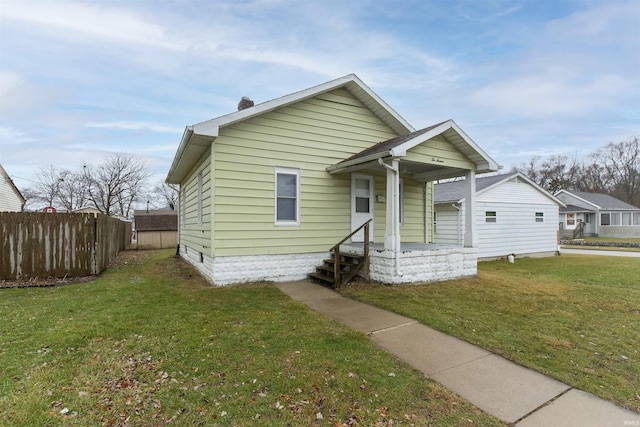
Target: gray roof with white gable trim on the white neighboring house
454, 191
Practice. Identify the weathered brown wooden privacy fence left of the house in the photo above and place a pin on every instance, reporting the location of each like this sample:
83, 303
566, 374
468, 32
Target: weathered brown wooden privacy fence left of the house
38, 244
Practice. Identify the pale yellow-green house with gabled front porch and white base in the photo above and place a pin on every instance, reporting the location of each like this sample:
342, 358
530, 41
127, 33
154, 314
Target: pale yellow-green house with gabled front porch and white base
268, 190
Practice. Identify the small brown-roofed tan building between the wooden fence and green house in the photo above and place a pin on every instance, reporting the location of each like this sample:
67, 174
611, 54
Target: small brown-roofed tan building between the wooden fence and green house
156, 229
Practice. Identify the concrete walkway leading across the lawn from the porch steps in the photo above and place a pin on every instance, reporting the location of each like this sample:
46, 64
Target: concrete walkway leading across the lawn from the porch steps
510, 392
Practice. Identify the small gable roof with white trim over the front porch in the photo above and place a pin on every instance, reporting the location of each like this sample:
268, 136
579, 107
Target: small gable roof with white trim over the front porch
398, 147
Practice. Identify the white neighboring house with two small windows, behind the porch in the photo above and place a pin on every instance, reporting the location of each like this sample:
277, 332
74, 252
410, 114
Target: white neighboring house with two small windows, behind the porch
513, 215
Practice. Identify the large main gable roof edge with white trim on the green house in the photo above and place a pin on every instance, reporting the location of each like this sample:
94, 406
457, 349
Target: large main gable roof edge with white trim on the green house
197, 138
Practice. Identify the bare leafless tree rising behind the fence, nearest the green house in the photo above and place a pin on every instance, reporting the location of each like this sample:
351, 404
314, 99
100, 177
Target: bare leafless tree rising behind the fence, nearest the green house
116, 184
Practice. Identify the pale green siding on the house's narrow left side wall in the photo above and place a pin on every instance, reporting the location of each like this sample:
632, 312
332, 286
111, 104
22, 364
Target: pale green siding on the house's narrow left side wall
194, 234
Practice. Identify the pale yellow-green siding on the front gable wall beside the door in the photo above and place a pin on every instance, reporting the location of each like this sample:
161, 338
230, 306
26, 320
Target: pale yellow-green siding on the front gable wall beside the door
309, 136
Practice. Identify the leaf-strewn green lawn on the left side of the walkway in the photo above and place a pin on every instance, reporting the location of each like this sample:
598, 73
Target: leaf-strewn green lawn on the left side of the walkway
149, 343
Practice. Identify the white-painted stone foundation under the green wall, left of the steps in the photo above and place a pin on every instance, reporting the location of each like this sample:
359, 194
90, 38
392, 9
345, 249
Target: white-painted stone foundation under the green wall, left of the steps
229, 270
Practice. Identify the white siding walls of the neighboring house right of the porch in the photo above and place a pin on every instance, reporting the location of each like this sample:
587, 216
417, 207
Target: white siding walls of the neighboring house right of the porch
515, 230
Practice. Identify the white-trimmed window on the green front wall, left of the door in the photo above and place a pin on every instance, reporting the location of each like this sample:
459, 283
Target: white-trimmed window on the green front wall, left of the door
287, 196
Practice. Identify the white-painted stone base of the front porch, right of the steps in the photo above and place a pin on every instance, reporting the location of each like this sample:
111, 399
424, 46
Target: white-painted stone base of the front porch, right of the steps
417, 266
